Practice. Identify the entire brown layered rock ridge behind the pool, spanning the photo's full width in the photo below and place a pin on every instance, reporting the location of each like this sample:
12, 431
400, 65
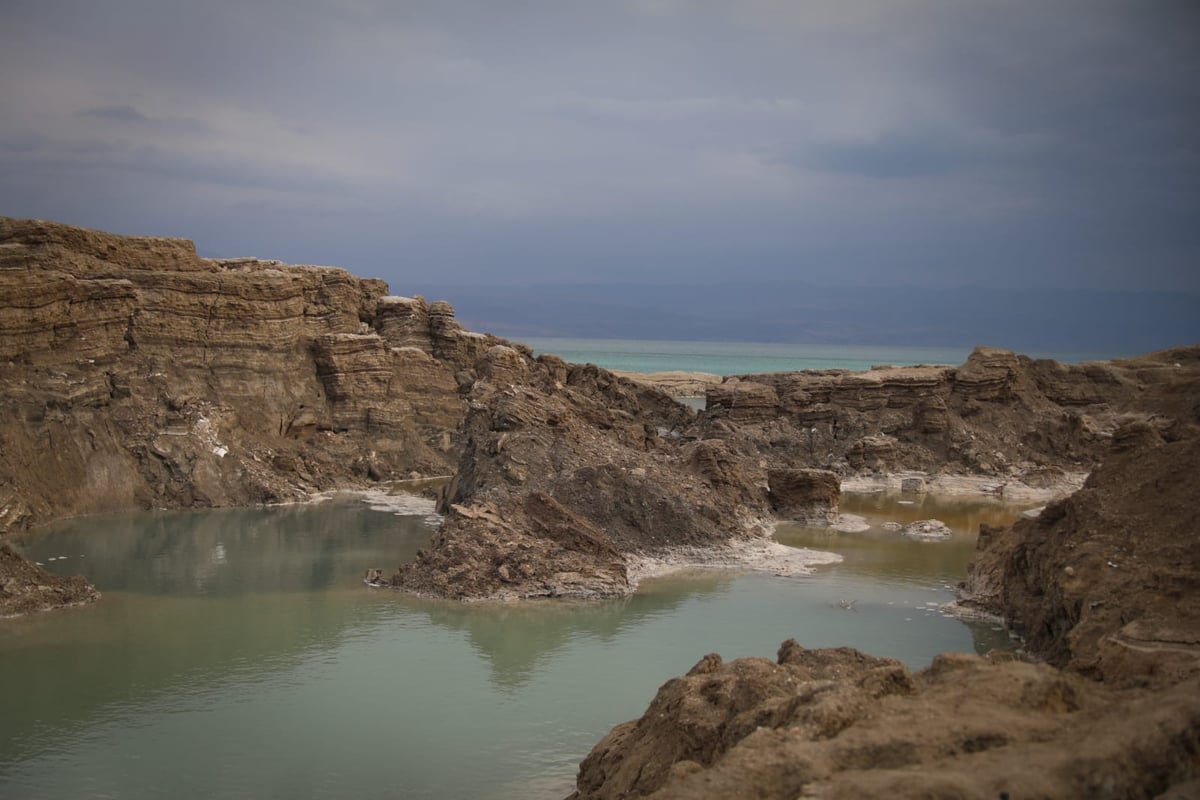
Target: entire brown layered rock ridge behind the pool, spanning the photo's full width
139, 375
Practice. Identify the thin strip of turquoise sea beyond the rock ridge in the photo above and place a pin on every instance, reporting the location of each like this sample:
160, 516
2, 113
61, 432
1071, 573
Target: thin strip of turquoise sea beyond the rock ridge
743, 358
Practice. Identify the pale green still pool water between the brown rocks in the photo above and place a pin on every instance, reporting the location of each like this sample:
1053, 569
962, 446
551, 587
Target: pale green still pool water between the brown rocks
237, 654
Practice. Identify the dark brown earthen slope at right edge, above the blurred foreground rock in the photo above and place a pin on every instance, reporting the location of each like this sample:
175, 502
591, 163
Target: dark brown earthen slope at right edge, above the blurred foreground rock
1107, 582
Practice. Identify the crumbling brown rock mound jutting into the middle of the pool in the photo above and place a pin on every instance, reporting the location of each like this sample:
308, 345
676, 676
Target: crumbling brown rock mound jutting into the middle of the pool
567, 472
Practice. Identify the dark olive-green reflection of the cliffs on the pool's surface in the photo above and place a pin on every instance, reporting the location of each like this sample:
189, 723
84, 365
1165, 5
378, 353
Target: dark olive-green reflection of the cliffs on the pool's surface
200, 603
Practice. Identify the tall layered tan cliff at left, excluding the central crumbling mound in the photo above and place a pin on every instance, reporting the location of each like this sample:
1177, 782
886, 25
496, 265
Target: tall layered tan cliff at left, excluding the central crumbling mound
139, 375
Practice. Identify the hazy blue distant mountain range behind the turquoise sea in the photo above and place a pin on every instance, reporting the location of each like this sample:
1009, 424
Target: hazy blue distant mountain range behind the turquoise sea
1022, 320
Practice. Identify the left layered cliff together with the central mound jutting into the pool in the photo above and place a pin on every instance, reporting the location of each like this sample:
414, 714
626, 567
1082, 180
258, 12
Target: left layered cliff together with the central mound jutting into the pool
142, 376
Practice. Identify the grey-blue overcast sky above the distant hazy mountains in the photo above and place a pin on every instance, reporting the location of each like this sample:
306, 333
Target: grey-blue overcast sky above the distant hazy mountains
1042, 143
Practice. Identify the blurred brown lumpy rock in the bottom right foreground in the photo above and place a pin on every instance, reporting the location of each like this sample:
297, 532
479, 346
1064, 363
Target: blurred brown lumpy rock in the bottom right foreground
836, 724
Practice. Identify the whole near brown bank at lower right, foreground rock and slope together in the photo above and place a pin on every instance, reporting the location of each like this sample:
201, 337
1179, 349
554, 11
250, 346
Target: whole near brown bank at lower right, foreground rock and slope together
1105, 586
